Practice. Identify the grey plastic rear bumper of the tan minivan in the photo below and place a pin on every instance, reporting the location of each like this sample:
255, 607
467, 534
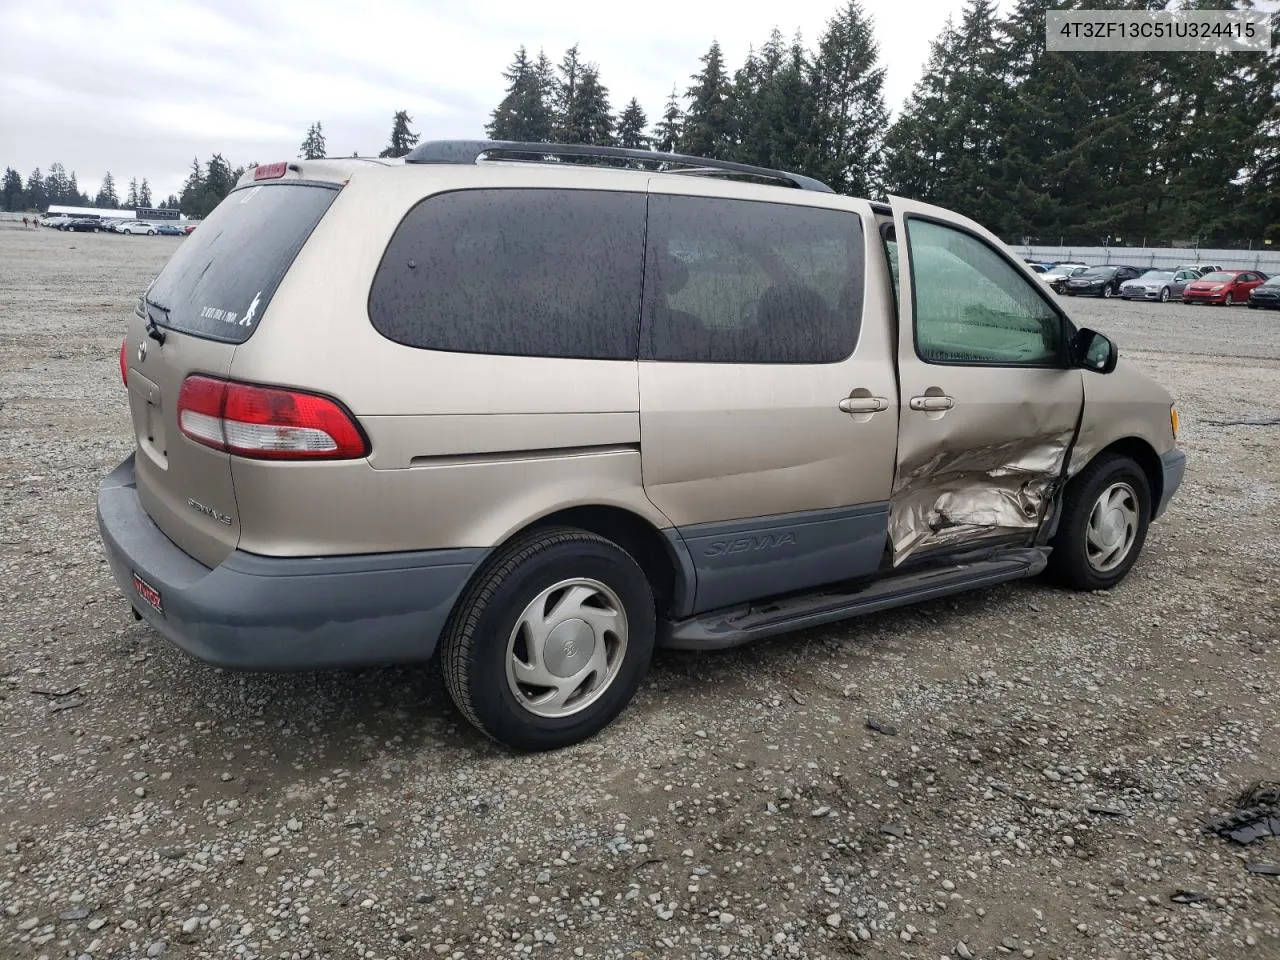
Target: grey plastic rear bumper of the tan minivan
281, 614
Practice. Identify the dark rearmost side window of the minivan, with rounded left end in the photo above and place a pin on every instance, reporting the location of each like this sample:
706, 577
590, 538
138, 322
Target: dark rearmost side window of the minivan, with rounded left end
533, 273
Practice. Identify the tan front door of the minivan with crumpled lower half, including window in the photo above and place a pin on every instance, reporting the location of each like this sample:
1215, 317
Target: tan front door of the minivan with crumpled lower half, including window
990, 403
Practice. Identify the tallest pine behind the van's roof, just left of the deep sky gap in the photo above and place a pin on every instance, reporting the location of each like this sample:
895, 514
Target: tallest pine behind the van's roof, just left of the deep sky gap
852, 116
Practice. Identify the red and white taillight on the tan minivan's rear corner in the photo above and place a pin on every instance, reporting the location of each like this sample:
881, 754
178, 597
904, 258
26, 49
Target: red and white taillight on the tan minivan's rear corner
267, 423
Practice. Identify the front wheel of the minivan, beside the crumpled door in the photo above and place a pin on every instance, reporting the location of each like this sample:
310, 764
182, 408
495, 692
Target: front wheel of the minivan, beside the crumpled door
1089, 531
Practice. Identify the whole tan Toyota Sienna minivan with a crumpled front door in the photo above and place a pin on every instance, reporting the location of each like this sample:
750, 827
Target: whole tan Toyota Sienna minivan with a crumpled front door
545, 408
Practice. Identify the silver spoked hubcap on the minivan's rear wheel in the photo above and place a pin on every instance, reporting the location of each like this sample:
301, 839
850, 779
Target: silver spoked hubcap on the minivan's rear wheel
566, 648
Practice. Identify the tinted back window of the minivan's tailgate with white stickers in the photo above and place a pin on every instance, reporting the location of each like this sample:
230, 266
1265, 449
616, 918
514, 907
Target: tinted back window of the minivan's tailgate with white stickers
222, 278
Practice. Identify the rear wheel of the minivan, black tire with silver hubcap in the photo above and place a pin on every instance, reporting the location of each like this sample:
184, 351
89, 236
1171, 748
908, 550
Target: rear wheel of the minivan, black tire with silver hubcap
487, 642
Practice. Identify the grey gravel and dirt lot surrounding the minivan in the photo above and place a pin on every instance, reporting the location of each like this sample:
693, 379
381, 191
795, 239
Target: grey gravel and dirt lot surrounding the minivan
1041, 797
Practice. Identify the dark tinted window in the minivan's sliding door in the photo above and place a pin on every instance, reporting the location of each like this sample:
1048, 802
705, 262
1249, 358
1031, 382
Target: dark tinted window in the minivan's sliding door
747, 282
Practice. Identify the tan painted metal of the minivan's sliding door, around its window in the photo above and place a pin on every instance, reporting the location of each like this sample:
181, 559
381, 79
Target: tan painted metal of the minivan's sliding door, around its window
735, 441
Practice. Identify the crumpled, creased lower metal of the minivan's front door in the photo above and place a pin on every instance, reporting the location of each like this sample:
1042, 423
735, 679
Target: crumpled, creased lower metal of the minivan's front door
968, 495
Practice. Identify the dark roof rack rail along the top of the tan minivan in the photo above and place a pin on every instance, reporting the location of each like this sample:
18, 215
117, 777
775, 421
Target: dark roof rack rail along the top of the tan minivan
469, 152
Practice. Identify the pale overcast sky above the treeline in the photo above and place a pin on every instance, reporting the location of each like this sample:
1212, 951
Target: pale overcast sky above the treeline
139, 88
